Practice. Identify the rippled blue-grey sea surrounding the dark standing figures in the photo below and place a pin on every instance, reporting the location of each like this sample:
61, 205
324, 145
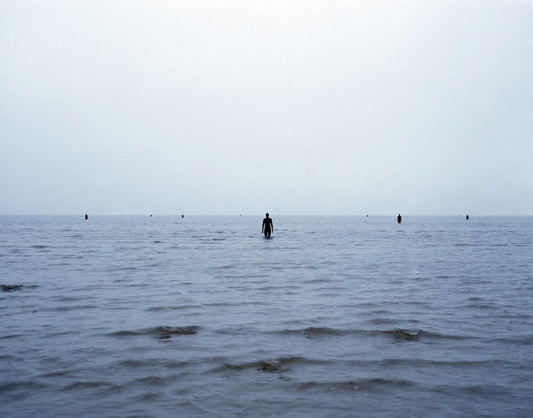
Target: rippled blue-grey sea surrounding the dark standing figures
354, 316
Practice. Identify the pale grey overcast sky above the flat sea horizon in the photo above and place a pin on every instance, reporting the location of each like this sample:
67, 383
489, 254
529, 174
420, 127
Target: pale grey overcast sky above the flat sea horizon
241, 107
